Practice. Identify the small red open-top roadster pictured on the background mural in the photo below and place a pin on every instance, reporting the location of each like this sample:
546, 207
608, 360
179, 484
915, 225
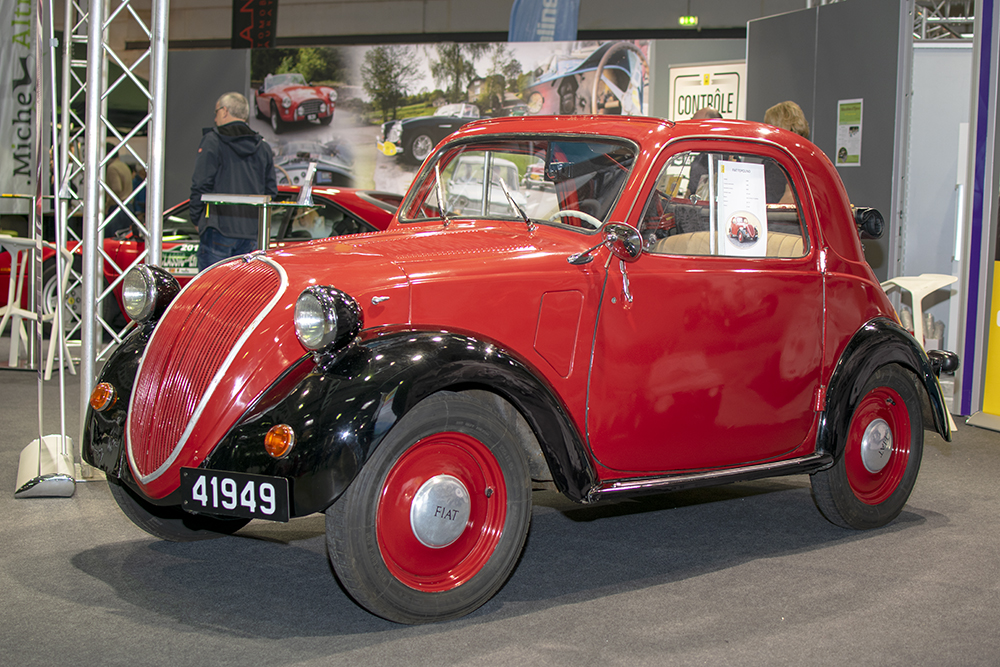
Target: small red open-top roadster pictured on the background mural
288, 98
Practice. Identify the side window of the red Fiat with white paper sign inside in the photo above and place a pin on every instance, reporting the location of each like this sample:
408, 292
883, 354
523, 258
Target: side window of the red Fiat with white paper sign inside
732, 204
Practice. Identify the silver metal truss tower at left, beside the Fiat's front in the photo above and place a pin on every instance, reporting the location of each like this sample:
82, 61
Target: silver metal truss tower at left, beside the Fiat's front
83, 158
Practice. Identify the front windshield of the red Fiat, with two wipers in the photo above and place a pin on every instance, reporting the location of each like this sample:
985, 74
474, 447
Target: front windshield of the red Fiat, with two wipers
581, 179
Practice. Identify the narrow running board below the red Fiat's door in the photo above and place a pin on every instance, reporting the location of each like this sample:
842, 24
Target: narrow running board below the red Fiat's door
639, 485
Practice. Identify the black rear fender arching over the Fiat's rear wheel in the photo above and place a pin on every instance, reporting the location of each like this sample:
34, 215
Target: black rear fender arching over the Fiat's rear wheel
880, 342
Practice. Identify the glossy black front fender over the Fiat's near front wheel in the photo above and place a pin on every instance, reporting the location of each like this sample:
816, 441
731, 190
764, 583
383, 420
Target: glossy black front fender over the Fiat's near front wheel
342, 410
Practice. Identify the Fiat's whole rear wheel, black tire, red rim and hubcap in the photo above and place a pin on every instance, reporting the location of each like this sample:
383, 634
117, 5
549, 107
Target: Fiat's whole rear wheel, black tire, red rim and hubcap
877, 466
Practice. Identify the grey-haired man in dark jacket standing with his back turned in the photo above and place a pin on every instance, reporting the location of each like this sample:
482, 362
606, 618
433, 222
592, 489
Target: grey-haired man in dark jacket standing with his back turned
231, 159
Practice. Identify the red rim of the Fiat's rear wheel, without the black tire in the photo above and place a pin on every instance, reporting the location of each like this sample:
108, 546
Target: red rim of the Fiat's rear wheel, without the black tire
886, 405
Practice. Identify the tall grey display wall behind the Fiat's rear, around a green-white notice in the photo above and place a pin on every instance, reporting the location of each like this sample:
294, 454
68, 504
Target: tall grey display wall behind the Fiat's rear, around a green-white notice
860, 50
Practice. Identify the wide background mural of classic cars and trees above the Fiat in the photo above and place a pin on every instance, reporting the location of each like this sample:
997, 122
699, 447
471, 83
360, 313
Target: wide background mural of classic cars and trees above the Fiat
331, 105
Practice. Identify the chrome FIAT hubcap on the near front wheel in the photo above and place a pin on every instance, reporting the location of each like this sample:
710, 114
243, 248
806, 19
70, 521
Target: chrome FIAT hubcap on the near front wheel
440, 511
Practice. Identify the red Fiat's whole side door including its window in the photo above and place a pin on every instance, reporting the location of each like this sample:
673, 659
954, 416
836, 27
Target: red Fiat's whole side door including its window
708, 349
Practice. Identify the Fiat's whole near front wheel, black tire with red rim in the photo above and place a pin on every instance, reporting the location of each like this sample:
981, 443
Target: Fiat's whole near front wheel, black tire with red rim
439, 569
